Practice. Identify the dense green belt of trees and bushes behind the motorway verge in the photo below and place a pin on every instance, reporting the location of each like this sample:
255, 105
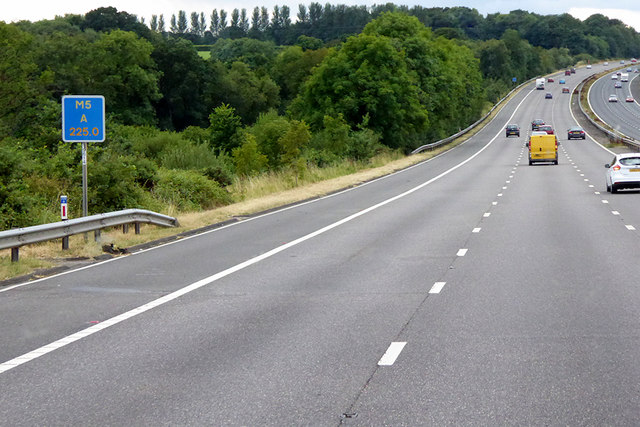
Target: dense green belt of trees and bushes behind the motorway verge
276, 94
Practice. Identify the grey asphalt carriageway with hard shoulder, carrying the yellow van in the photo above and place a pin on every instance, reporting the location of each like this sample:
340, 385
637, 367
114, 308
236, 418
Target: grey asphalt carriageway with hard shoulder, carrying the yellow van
471, 289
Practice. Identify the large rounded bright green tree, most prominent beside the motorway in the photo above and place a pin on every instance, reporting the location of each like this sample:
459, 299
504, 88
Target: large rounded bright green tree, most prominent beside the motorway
368, 76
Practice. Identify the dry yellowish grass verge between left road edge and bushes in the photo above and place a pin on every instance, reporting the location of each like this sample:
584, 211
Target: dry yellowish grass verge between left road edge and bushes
253, 195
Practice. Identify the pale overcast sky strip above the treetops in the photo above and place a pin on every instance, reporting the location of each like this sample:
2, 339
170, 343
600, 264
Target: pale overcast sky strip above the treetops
628, 11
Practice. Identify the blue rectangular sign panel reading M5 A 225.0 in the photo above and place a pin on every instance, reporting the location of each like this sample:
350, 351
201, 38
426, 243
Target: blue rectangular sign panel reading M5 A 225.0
83, 118
